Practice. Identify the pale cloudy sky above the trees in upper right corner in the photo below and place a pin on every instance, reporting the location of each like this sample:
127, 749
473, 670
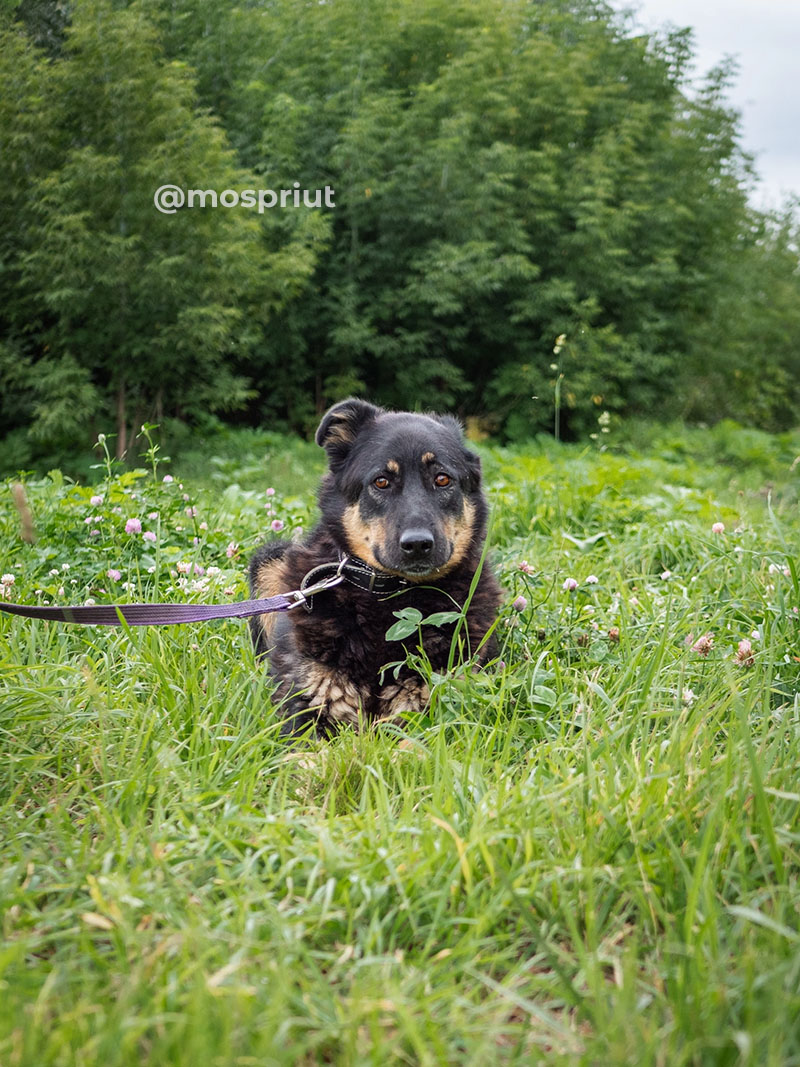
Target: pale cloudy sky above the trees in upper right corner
764, 37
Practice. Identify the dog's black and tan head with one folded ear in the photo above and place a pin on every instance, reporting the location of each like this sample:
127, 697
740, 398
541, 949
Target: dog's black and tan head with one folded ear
404, 491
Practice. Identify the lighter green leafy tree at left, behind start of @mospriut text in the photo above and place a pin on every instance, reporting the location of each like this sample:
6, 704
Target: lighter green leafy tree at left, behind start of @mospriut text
141, 310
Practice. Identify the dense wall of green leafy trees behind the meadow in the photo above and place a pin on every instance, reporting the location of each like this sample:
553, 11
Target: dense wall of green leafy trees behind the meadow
505, 174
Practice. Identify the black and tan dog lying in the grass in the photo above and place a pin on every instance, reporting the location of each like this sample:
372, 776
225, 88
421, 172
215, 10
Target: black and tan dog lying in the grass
404, 522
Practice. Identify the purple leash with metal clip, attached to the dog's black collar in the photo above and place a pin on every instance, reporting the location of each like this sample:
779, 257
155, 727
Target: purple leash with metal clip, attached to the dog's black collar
317, 581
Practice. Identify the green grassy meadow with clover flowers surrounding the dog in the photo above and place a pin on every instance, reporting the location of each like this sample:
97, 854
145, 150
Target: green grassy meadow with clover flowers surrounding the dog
589, 854
